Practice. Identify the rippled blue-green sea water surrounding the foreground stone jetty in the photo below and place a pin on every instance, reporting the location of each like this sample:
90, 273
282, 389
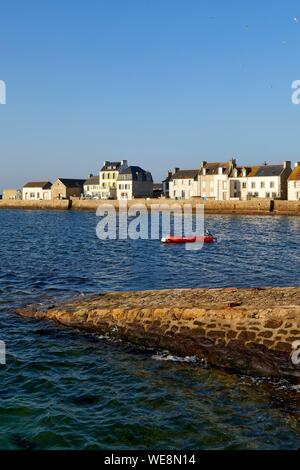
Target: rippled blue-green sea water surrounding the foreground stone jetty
65, 389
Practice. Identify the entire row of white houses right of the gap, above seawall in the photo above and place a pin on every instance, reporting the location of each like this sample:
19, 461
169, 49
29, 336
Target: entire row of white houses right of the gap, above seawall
227, 181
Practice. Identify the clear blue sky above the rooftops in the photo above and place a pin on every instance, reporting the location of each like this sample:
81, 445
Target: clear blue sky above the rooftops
161, 83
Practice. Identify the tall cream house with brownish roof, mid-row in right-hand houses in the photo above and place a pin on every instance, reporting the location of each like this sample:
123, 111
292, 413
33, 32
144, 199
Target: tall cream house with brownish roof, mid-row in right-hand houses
214, 179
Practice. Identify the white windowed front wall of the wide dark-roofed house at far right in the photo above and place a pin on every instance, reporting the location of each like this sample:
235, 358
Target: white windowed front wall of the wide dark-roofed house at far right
264, 186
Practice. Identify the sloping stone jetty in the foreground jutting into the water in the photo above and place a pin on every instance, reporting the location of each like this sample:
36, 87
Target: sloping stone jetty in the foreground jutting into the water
247, 330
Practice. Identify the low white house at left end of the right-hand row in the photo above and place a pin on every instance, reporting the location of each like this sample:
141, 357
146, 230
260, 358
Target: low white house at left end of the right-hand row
183, 184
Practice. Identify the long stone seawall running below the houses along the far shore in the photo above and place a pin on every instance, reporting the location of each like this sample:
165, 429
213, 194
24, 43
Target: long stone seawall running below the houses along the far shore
251, 207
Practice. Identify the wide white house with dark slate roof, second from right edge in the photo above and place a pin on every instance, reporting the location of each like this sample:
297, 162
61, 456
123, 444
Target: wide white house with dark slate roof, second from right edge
269, 181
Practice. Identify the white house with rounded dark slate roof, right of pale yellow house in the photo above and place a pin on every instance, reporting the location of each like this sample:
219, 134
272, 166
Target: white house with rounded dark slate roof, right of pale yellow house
134, 182
